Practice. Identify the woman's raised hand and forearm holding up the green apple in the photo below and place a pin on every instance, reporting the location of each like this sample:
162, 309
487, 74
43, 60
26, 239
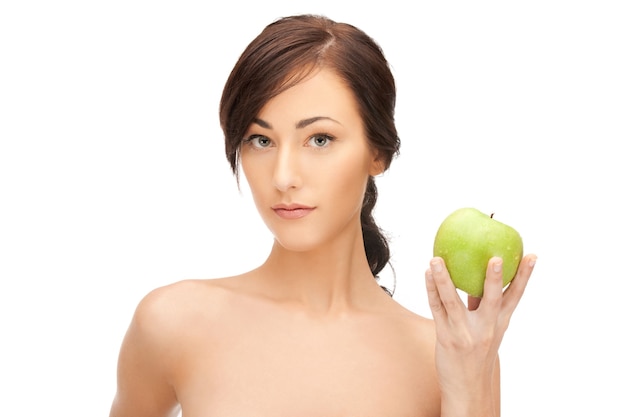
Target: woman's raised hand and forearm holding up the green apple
468, 338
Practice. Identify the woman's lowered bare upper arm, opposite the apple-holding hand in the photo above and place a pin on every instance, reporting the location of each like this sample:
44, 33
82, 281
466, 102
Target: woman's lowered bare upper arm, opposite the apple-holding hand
144, 364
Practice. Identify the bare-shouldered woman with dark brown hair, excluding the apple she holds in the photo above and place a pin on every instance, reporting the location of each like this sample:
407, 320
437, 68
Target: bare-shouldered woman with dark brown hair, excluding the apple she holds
307, 113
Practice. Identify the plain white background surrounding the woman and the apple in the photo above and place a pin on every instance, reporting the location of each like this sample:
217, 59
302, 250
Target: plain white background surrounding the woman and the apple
113, 179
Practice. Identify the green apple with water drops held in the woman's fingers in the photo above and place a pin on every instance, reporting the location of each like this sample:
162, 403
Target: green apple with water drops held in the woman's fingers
467, 239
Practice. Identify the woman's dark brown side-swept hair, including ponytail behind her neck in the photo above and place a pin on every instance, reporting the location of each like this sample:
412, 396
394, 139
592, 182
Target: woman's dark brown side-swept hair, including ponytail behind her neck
284, 53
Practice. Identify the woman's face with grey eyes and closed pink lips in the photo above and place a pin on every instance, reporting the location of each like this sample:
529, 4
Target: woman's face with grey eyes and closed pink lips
307, 161
